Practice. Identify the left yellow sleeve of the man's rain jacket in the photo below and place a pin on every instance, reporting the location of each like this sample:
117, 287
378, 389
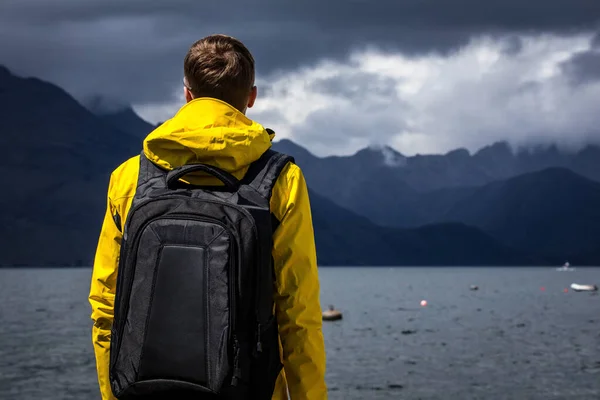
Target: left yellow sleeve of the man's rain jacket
102, 295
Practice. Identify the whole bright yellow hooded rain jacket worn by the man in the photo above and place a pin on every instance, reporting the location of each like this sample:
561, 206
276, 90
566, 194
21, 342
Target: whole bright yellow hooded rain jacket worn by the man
210, 131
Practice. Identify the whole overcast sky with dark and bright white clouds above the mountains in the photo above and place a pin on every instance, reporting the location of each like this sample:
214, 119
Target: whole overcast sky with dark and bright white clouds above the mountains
424, 76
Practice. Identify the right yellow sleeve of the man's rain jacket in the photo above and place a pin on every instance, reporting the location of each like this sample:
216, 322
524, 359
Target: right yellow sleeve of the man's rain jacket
297, 300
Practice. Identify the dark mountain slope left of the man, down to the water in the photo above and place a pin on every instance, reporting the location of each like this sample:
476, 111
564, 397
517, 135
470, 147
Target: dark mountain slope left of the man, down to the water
56, 163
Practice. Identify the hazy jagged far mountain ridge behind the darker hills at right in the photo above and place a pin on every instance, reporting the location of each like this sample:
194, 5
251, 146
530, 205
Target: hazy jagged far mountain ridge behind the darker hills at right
394, 190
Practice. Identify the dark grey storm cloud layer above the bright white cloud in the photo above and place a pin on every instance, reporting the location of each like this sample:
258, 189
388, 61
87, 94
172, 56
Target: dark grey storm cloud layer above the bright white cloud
134, 49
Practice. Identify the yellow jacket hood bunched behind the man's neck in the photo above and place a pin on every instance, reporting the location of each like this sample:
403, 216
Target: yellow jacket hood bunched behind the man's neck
208, 131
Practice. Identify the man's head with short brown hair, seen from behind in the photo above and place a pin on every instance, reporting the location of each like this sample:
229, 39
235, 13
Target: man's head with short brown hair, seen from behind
221, 67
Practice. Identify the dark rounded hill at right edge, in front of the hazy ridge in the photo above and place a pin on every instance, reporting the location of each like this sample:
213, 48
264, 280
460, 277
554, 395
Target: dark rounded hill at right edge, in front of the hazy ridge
554, 212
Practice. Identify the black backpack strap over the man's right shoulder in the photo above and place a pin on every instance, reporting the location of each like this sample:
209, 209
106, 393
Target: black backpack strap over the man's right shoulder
263, 173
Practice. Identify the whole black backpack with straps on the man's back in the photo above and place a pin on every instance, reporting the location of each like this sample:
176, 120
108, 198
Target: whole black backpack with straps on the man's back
195, 284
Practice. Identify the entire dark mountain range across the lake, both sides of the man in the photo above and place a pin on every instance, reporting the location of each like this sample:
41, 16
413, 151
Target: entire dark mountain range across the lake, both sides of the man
376, 207
